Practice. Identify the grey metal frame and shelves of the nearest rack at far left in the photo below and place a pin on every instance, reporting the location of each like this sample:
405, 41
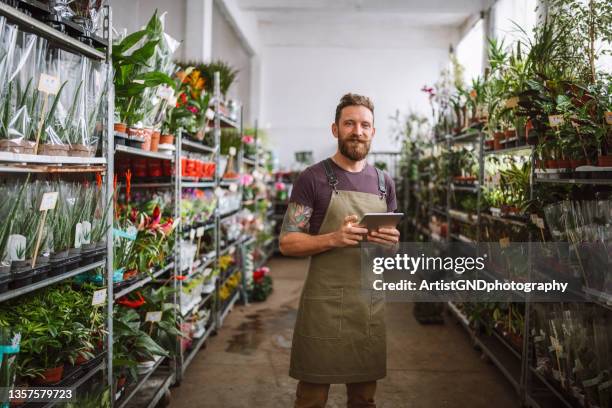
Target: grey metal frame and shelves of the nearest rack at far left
12, 163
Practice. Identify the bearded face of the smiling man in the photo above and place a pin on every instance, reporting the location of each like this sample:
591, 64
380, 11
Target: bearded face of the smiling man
354, 131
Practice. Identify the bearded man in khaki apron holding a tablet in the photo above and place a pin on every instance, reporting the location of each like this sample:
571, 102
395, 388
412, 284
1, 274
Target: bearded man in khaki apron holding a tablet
339, 335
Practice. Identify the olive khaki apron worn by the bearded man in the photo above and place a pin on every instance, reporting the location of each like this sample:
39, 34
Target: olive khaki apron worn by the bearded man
339, 335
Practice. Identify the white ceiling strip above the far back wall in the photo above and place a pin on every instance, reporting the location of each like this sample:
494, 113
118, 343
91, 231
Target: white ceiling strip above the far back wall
412, 13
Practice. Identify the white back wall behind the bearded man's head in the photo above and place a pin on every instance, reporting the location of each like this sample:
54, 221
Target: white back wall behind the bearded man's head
304, 80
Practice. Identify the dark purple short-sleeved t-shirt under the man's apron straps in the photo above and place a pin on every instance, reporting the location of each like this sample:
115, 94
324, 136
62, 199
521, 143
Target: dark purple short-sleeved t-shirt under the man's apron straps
311, 189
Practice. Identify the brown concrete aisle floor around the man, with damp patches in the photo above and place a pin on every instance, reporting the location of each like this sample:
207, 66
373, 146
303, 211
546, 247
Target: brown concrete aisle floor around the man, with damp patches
247, 363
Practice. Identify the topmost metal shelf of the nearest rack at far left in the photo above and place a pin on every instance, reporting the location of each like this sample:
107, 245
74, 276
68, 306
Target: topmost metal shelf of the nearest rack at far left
48, 32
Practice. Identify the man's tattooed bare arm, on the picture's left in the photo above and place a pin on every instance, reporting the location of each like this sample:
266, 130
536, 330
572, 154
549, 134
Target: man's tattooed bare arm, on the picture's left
296, 241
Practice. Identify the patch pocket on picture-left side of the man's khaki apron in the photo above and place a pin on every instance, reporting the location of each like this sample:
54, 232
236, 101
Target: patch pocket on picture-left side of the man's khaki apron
321, 315
